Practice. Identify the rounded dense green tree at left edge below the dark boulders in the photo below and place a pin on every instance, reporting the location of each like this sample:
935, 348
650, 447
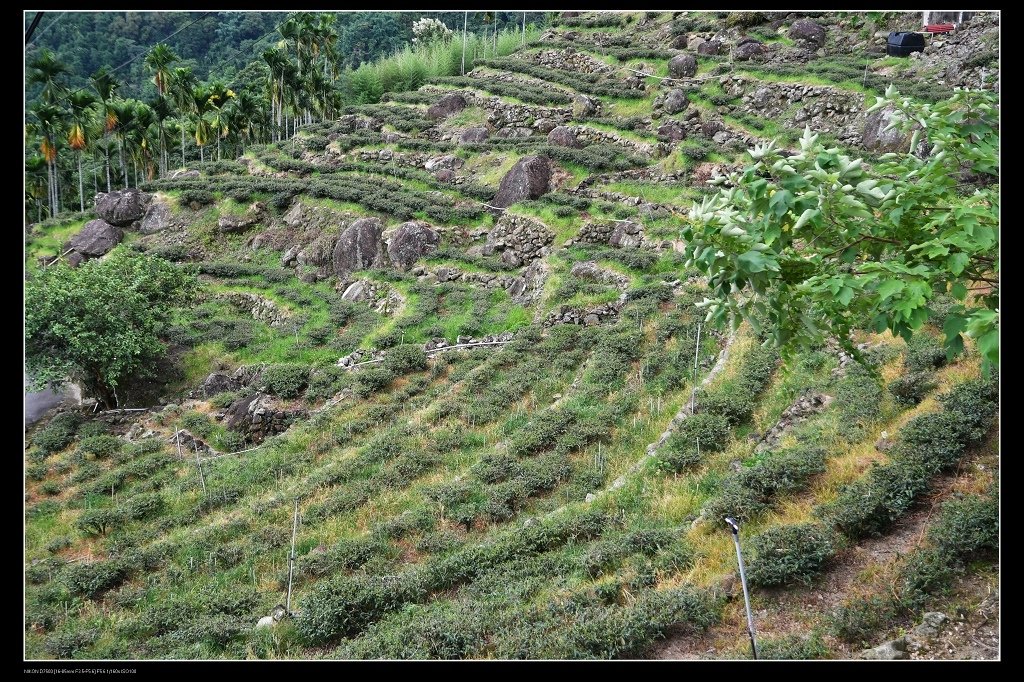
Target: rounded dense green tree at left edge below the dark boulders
100, 324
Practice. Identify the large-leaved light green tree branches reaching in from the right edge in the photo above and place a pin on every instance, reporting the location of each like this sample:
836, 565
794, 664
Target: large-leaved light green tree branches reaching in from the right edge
818, 244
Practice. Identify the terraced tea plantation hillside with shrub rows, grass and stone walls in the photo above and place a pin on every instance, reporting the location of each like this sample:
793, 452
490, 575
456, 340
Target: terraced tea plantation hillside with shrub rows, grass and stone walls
451, 346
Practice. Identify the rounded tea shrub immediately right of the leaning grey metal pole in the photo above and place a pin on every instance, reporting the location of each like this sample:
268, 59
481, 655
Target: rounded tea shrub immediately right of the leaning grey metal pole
791, 553
